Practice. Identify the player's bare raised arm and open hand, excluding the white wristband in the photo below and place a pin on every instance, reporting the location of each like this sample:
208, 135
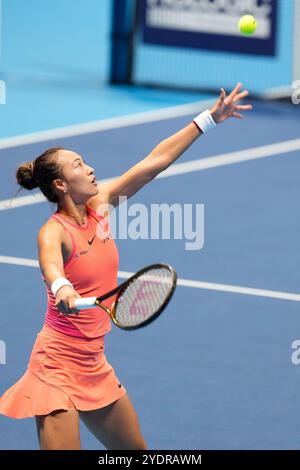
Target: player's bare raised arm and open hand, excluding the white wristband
169, 150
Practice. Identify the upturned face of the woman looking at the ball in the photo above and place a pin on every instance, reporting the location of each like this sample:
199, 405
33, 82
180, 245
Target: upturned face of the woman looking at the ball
79, 178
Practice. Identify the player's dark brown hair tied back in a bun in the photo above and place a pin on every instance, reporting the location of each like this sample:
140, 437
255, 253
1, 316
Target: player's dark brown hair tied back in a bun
40, 173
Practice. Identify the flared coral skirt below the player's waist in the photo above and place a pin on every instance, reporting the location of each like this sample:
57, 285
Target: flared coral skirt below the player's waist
63, 372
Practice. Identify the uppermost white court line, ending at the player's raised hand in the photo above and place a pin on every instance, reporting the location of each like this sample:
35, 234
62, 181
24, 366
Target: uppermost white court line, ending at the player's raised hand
106, 124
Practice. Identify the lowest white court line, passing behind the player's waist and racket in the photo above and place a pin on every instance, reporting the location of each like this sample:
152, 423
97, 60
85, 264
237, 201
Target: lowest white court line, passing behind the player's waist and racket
182, 282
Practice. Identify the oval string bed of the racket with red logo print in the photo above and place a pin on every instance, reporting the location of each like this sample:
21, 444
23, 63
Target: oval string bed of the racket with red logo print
144, 297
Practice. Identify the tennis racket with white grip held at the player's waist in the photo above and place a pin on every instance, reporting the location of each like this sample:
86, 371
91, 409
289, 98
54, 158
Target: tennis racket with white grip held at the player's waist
140, 299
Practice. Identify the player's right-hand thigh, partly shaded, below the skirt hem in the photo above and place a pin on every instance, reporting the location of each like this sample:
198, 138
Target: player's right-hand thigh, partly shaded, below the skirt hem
115, 425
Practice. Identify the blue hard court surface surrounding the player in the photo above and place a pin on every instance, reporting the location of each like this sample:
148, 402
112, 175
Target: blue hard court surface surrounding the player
216, 370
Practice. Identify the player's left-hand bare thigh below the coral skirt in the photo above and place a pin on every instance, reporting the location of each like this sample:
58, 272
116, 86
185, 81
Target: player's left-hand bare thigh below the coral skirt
59, 430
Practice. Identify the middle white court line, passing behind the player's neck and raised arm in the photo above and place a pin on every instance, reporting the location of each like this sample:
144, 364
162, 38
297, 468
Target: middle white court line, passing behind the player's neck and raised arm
200, 164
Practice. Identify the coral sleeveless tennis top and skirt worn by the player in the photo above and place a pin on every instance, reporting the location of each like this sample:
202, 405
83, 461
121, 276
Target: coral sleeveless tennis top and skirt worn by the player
67, 367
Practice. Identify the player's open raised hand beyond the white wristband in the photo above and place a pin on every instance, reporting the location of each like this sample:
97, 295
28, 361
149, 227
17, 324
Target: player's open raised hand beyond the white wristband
228, 106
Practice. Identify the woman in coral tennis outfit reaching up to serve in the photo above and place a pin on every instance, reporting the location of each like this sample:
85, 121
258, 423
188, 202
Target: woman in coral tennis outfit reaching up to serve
68, 376
